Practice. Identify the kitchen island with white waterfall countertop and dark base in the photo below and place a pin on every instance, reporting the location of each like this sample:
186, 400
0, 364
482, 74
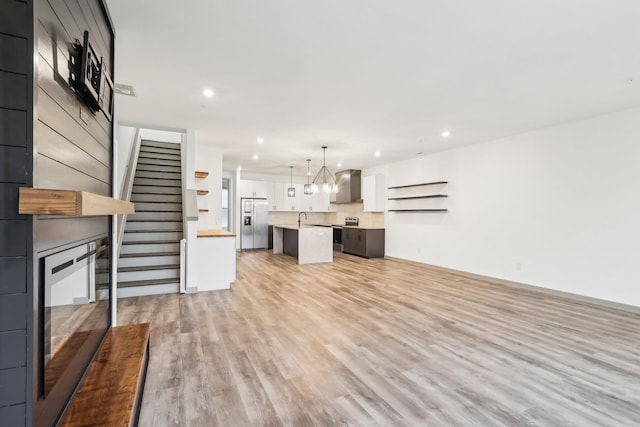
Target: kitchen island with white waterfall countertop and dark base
309, 244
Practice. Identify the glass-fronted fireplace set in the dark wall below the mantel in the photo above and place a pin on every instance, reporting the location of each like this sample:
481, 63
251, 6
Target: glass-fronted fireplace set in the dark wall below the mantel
74, 315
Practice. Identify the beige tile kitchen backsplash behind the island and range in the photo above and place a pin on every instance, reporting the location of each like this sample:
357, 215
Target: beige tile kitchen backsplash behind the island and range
367, 219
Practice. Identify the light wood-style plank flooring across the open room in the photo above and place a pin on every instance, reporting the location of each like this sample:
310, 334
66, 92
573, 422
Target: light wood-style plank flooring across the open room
381, 342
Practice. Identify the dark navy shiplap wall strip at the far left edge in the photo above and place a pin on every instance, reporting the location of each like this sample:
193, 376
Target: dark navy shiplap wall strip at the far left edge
16, 154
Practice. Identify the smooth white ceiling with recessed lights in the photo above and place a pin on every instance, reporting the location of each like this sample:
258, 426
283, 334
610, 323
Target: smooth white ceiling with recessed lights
369, 75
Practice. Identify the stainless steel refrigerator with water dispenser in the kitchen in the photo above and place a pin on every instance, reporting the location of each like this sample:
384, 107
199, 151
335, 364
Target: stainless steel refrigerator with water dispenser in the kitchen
254, 220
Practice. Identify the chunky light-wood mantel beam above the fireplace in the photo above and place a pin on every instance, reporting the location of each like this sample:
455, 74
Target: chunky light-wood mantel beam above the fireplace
38, 201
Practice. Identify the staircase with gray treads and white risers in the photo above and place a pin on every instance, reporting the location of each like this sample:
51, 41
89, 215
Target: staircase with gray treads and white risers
149, 260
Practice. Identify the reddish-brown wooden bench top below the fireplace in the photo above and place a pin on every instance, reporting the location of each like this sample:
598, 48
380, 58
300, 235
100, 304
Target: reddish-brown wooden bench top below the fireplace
110, 394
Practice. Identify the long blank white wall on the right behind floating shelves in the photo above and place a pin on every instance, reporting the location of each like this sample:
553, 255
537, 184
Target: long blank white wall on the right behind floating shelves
557, 208
